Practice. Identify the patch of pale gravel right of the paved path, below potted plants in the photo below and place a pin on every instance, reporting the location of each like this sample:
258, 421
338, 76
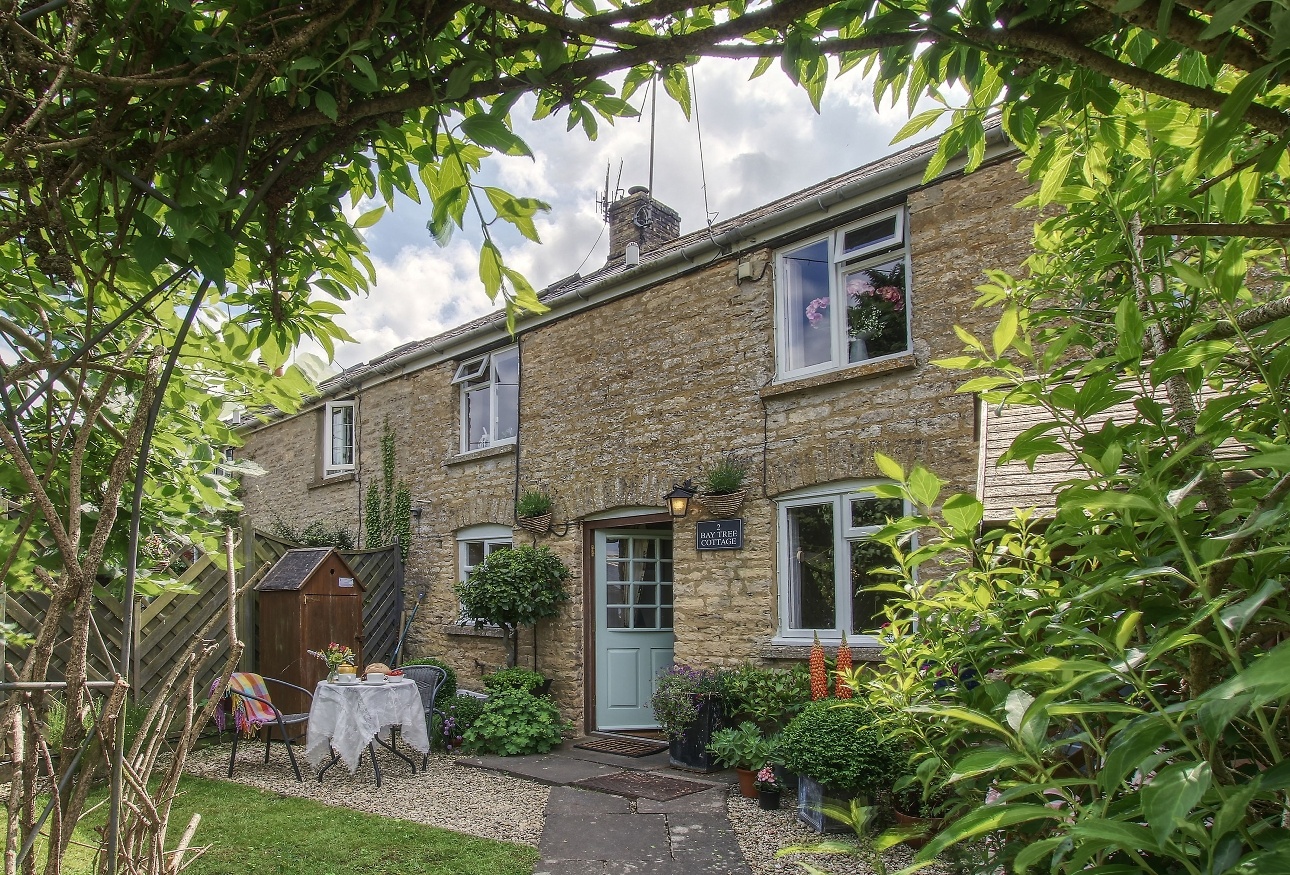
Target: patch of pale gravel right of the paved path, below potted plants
763, 833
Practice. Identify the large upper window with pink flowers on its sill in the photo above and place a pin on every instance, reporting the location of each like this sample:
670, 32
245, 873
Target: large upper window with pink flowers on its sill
844, 297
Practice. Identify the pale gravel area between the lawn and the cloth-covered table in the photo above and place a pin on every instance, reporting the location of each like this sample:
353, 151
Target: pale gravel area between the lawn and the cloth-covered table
477, 802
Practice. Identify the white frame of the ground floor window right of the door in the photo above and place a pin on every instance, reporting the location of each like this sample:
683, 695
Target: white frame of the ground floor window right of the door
840, 495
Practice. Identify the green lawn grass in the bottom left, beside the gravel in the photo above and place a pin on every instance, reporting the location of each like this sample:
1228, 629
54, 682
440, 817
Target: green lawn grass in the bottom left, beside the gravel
255, 833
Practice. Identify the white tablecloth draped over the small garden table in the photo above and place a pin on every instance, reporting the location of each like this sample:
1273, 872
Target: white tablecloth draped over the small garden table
348, 717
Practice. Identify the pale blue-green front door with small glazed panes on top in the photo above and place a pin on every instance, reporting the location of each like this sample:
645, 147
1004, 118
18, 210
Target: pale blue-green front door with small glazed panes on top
634, 624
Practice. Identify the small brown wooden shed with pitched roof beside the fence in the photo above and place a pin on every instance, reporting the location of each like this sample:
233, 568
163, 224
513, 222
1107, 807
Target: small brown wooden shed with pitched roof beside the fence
308, 601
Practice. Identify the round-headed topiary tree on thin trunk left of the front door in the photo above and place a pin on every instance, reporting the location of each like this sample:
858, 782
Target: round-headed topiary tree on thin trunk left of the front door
515, 588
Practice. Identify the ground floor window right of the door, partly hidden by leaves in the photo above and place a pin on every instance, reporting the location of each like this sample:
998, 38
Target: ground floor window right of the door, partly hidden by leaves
828, 562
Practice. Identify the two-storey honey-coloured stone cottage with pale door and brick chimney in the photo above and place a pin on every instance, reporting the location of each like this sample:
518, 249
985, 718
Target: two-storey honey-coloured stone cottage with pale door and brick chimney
797, 339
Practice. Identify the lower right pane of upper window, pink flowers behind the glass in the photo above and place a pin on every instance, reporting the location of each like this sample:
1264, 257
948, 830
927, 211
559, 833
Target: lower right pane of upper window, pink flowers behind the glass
877, 301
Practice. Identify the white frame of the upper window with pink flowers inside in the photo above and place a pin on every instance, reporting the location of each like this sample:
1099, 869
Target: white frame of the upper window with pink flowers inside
868, 256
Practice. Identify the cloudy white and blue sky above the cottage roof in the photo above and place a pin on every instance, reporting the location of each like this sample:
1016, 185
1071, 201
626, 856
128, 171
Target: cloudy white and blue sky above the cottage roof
760, 141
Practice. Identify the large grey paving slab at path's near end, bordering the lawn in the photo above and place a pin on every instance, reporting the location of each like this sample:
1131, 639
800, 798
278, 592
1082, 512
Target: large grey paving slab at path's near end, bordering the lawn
589, 836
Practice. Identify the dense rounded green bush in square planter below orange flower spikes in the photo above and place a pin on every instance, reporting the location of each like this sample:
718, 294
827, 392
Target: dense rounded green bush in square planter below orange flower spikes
843, 747
